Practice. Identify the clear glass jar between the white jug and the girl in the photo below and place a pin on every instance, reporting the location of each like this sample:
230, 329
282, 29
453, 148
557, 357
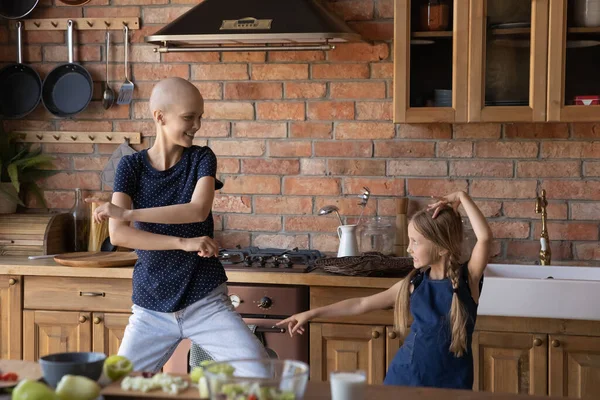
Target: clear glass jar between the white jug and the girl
377, 234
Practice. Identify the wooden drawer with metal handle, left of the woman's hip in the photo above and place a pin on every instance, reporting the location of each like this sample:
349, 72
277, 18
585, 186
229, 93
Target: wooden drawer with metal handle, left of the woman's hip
78, 294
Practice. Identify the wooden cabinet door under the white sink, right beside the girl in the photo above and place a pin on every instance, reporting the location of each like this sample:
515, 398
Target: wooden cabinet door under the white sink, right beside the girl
508, 362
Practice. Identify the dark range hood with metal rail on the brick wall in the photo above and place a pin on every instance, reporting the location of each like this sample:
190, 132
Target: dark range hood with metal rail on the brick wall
246, 25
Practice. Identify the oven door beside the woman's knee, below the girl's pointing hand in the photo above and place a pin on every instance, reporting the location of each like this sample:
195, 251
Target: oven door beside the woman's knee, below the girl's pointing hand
277, 340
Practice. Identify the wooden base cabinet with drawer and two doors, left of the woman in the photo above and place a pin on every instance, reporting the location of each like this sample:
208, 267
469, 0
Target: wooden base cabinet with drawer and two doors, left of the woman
74, 314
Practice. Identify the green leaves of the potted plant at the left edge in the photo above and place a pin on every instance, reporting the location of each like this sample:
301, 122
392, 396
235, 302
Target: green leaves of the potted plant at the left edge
19, 171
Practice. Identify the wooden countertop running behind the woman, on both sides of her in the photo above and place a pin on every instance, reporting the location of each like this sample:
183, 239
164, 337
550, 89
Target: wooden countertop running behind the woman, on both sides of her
21, 265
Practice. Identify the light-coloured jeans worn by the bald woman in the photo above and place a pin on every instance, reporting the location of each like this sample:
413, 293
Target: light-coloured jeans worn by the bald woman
151, 337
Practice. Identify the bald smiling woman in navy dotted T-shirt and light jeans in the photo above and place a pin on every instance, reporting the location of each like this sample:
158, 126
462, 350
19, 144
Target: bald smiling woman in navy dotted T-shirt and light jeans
179, 284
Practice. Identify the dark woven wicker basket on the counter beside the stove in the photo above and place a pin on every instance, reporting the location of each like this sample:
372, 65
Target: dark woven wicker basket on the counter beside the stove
369, 264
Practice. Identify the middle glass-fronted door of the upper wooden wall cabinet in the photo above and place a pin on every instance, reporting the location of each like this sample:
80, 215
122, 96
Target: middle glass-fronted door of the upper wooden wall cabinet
508, 44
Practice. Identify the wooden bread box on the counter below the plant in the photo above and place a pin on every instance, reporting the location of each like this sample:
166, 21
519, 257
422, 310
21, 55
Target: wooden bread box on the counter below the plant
34, 234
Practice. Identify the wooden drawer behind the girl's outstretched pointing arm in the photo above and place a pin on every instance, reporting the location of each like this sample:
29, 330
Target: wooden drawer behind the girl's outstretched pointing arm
322, 296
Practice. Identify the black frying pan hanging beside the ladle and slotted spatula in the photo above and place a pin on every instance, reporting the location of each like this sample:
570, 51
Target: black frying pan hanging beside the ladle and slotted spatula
68, 88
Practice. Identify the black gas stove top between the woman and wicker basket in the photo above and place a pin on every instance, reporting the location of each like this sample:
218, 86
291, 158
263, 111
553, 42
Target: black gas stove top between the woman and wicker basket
255, 259
